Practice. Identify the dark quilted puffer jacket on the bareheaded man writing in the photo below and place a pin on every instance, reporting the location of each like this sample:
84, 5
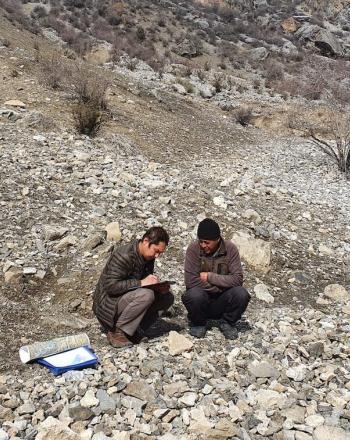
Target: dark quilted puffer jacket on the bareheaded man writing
124, 271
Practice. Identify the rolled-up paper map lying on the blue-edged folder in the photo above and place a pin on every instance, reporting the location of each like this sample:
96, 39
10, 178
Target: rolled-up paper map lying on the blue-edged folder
47, 348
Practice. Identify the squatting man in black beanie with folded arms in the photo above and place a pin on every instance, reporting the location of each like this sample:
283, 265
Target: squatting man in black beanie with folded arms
213, 278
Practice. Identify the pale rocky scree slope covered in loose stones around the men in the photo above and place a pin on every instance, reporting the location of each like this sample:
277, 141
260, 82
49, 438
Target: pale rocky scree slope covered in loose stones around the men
171, 160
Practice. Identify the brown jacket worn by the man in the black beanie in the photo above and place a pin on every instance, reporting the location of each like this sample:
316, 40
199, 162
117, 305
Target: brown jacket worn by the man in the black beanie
224, 267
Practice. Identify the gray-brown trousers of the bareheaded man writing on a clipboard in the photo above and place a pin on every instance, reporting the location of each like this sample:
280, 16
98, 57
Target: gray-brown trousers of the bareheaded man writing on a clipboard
140, 307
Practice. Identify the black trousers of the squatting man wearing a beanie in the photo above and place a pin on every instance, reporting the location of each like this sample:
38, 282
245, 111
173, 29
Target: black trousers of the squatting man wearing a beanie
202, 305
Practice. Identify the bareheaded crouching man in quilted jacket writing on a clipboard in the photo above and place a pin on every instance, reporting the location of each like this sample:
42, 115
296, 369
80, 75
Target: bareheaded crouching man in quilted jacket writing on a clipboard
124, 300
